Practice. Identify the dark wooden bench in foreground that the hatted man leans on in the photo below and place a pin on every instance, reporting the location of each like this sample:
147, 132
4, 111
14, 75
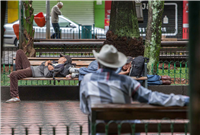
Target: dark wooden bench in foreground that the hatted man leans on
152, 117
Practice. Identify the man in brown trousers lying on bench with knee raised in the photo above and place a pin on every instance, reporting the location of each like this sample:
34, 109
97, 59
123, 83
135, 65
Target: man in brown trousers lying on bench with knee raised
46, 69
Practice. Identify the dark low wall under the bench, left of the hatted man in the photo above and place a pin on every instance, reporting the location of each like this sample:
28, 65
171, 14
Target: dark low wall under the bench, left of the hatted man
43, 93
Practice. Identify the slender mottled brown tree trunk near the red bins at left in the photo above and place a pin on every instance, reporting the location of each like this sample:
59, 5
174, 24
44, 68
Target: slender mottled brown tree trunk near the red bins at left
27, 44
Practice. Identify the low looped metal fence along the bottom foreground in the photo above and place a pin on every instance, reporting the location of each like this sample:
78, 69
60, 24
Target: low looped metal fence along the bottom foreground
81, 129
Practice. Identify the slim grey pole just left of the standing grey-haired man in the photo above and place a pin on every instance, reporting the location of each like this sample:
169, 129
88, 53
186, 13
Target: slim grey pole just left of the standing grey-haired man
47, 19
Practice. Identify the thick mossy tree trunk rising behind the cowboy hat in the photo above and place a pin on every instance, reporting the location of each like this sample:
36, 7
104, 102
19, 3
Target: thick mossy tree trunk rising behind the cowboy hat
124, 30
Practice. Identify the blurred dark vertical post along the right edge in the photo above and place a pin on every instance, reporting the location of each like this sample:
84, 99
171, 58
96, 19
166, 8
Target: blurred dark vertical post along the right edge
194, 65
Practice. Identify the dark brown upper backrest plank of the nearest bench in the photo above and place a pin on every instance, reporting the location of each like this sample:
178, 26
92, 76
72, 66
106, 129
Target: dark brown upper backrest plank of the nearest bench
140, 114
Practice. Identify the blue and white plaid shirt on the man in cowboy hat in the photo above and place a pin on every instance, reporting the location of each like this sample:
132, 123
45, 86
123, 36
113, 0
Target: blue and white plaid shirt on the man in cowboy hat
106, 86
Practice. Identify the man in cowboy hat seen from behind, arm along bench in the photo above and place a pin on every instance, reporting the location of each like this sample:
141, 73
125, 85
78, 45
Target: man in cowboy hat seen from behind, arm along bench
106, 86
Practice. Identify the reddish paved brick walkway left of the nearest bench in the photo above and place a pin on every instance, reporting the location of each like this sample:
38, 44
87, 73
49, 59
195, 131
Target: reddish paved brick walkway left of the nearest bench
49, 114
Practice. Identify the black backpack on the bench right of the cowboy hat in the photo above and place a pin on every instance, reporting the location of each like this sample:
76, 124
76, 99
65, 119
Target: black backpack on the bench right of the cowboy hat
137, 66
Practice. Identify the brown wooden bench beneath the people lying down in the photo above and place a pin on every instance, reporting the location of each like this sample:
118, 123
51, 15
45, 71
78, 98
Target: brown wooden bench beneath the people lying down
80, 62
